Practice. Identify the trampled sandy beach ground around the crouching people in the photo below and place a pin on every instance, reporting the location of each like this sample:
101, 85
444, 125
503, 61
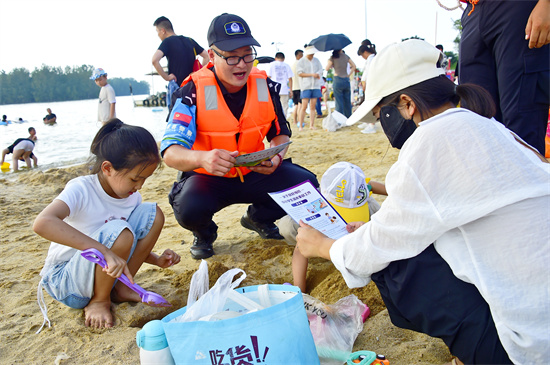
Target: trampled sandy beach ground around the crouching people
265, 261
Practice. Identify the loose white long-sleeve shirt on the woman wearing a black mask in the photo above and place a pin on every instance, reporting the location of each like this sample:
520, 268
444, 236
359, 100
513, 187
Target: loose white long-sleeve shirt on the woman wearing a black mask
465, 184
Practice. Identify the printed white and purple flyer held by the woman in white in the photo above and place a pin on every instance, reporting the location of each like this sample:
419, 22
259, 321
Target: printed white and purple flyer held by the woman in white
304, 202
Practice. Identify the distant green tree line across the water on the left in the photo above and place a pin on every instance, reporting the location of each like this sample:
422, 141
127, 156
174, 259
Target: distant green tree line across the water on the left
47, 83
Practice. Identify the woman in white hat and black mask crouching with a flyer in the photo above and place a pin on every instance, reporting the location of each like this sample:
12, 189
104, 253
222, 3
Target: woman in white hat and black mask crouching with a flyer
460, 248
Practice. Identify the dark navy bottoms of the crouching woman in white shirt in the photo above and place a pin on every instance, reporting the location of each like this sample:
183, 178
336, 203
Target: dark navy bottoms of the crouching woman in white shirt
422, 294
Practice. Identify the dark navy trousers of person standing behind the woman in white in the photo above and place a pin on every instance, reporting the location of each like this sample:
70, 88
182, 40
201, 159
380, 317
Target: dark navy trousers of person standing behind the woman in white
494, 54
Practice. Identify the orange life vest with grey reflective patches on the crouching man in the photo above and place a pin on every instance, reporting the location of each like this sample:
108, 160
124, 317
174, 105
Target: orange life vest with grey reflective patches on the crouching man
217, 127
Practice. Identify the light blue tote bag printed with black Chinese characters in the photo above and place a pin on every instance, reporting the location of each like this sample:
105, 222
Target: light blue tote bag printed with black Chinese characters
275, 331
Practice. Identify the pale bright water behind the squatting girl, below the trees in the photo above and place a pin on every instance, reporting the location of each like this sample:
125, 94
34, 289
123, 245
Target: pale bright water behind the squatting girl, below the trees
68, 142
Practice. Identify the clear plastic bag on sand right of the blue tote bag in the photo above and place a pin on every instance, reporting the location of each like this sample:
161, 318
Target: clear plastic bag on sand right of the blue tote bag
335, 327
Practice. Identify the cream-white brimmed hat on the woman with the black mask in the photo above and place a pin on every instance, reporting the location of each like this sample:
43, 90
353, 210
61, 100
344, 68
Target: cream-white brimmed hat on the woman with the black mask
395, 68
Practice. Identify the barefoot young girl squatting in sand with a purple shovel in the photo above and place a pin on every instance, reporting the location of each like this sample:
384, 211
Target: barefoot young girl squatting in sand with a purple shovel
103, 211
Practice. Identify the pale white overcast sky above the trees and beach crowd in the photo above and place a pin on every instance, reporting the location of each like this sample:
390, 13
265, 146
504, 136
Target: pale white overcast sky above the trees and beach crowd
118, 35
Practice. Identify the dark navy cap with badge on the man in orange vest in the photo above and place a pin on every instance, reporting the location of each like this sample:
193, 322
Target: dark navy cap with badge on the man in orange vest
229, 32
